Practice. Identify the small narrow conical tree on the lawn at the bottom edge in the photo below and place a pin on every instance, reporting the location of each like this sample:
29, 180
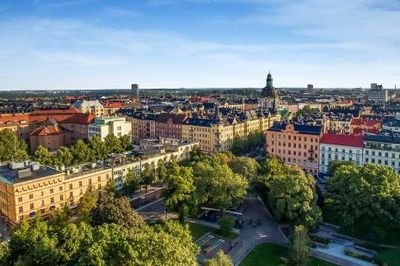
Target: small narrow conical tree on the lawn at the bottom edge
299, 249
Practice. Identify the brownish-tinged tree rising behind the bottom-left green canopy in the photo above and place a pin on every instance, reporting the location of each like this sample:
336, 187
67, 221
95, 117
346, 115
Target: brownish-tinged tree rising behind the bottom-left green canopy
111, 209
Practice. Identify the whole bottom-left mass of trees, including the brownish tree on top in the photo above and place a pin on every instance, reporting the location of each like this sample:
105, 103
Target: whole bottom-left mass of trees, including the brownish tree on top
115, 235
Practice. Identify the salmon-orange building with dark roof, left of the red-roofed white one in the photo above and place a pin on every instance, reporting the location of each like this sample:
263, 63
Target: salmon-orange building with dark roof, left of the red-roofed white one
295, 144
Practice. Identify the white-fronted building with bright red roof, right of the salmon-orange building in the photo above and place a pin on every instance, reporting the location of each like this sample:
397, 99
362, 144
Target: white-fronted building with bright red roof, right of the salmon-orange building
339, 148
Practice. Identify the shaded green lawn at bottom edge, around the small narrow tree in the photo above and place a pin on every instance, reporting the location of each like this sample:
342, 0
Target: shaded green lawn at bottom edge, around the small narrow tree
274, 255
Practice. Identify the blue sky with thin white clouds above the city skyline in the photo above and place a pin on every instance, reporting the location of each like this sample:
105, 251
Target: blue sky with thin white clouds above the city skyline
72, 44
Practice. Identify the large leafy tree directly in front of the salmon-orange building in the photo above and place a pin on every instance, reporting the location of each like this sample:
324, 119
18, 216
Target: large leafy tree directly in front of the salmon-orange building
289, 193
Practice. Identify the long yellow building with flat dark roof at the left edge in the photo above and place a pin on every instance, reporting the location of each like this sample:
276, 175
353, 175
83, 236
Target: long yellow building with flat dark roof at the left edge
28, 189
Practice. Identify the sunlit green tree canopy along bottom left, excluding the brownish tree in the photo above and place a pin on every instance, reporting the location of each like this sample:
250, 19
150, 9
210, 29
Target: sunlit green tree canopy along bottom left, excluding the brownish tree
108, 244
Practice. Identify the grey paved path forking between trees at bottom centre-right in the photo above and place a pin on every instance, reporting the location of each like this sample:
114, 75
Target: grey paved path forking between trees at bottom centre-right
267, 232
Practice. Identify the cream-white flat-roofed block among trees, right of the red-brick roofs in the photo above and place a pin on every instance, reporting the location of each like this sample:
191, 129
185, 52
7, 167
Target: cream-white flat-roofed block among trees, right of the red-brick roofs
117, 126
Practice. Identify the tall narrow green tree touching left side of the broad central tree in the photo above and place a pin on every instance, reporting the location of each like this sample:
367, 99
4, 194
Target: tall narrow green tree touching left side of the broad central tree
179, 192
